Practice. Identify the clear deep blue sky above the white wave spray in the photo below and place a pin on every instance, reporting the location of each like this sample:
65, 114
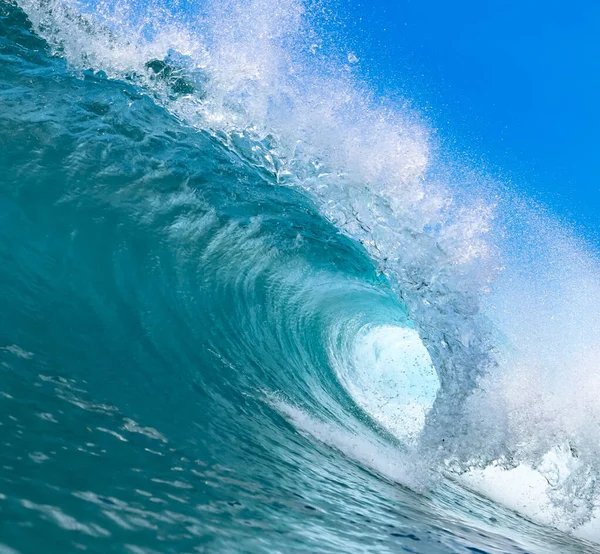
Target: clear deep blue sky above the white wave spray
515, 83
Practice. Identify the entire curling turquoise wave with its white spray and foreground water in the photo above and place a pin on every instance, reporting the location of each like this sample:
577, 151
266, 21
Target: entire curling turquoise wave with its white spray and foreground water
248, 305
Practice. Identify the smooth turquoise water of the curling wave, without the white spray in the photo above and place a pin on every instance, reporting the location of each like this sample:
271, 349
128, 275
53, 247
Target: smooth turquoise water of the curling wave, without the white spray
179, 369
